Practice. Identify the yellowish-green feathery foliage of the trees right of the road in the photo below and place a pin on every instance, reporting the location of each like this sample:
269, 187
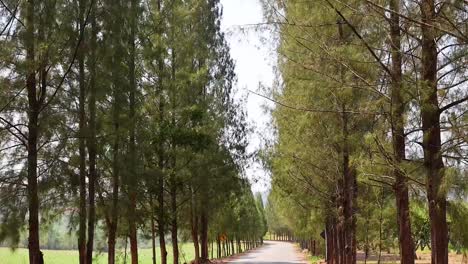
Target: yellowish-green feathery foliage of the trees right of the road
334, 118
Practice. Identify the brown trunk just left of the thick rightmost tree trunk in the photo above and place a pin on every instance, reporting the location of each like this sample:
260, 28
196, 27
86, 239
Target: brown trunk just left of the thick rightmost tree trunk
398, 137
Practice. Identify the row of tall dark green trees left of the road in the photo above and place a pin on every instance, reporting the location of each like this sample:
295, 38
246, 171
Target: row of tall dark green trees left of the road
120, 115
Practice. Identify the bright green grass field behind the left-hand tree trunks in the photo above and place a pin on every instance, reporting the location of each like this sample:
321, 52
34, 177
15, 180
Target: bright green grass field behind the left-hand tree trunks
20, 256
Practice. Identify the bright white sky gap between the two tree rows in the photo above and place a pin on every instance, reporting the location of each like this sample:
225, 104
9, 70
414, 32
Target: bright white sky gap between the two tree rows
254, 66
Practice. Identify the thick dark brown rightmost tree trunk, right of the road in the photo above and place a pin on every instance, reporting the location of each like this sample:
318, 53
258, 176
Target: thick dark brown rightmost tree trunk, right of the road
433, 162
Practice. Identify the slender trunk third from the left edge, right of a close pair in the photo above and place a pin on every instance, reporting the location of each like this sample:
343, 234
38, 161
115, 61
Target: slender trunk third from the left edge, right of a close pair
92, 148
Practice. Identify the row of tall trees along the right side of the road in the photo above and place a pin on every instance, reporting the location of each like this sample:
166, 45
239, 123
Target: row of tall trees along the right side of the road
371, 121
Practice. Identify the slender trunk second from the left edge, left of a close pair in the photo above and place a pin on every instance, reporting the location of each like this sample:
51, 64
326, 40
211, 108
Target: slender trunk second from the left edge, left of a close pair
82, 143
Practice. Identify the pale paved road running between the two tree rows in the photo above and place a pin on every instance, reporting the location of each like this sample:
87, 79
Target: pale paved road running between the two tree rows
273, 252
